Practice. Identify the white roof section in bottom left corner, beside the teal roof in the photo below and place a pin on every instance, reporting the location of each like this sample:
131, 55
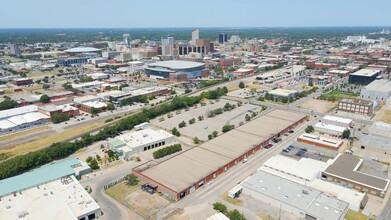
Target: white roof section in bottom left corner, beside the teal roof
59, 201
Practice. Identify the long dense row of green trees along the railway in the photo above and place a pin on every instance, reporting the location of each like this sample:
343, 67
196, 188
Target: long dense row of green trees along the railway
22, 163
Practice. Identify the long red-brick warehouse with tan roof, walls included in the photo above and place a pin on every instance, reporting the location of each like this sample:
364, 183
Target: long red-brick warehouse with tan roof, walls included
199, 165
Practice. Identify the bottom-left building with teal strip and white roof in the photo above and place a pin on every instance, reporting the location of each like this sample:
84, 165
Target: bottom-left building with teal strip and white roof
53, 188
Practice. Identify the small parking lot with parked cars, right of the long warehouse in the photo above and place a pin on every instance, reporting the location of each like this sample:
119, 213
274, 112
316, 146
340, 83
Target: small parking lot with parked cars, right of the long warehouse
312, 152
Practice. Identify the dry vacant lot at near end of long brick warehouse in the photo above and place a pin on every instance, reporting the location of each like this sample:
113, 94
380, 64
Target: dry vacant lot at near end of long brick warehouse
137, 200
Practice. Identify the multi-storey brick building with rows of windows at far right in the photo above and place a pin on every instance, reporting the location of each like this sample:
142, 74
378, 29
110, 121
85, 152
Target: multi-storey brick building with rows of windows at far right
357, 106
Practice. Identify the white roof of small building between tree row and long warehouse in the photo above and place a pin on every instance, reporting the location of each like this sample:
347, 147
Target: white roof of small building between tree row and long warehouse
143, 137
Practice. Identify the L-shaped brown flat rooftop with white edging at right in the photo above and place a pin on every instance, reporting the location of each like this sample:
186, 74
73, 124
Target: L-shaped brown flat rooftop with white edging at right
345, 166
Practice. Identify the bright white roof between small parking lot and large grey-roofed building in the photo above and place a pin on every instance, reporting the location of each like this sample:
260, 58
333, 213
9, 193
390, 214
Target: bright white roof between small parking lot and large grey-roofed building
305, 168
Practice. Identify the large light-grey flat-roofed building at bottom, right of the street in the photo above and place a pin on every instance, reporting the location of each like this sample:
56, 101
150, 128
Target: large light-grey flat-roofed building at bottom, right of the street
295, 198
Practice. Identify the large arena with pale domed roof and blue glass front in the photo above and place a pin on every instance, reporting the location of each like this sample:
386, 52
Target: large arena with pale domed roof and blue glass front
176, 70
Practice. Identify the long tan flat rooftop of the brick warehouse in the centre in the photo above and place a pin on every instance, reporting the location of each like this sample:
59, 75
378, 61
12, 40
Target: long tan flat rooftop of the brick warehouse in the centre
189, 167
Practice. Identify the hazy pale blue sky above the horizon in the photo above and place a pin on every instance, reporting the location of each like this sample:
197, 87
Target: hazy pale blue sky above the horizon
195, 13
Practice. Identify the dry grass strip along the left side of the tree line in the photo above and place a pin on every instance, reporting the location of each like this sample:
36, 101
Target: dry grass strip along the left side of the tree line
46, 141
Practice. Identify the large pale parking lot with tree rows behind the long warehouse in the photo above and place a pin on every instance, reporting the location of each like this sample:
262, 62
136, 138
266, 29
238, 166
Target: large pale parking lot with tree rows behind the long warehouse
201, 129
